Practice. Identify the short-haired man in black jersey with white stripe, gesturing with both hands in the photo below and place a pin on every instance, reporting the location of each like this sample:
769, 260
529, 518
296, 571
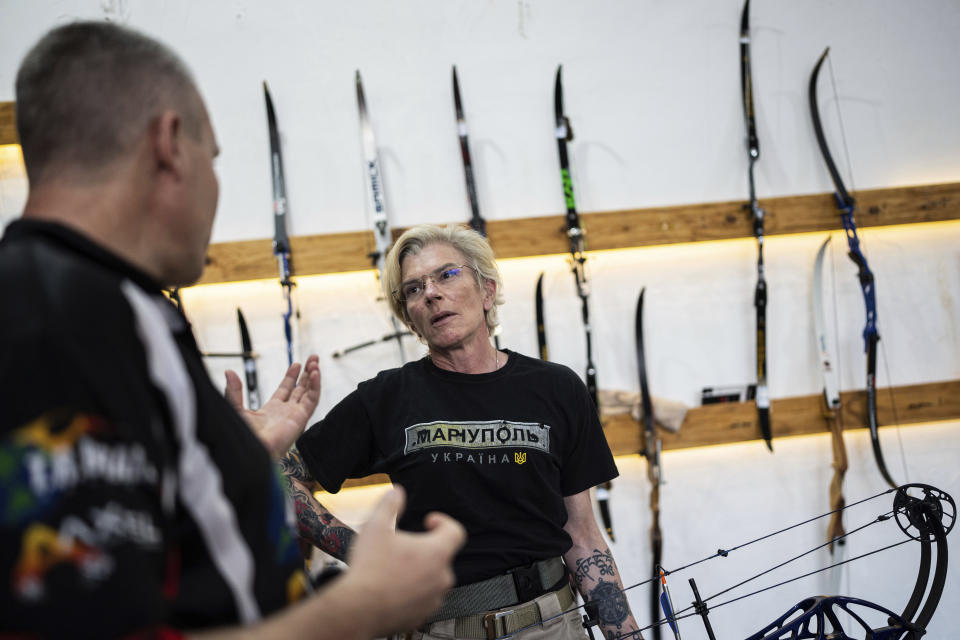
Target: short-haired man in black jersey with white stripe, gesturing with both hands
135, 500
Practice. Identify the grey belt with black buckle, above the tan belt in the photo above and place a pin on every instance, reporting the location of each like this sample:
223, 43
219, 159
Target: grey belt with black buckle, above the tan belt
517, 585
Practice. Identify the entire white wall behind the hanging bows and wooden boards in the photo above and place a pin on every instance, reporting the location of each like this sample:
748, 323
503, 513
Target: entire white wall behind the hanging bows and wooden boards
652, 91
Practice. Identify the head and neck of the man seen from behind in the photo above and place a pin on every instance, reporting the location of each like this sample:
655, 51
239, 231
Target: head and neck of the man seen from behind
103, 107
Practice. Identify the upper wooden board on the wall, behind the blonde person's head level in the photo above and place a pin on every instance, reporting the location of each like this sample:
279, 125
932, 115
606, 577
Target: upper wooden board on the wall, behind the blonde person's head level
523, 237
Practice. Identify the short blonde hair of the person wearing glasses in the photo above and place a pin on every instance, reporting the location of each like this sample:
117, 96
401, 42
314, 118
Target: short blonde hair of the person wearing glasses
471, 244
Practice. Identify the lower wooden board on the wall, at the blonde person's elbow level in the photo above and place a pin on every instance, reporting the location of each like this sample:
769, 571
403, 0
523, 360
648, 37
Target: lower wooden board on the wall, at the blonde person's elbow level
737, 422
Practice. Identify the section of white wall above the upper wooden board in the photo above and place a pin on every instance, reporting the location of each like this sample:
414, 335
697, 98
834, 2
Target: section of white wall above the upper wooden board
652, 91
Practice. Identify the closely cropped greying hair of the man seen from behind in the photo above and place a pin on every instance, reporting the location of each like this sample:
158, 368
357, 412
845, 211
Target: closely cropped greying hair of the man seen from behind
85, 93
